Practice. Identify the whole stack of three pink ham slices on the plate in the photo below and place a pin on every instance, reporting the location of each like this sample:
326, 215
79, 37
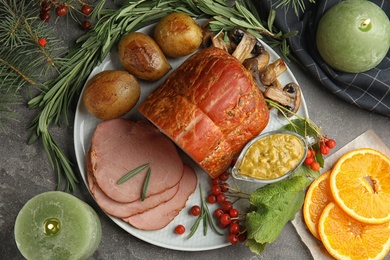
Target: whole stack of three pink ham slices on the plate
119, 146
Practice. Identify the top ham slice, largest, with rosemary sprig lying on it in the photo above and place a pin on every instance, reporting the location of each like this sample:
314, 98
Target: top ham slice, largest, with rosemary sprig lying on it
119, 146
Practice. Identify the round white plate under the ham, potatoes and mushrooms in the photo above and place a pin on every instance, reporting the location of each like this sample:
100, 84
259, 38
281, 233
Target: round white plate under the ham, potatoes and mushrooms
84, 128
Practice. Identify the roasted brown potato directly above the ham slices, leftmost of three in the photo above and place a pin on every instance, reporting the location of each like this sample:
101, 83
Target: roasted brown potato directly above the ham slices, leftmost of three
111, 94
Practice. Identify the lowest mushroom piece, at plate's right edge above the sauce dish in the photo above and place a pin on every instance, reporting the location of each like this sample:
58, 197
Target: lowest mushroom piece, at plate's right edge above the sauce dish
289, 97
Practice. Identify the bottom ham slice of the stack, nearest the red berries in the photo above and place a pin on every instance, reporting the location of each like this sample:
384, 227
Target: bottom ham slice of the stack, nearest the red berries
160, 216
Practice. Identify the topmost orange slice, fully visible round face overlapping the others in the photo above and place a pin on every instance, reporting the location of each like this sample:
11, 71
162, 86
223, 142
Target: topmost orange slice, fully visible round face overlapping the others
360, 185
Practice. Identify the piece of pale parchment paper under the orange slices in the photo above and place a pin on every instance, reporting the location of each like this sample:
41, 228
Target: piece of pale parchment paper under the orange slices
368, 139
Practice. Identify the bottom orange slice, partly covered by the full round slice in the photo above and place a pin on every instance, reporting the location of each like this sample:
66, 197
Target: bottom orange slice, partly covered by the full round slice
346, 238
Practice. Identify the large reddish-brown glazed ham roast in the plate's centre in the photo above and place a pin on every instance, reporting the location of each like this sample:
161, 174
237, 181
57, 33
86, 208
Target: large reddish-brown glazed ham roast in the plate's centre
210, 107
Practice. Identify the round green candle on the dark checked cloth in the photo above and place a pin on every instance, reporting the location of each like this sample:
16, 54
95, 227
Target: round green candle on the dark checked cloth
353, 36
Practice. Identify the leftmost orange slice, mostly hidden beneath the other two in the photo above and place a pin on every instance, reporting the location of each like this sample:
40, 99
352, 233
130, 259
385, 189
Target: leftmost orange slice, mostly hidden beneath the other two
317, 197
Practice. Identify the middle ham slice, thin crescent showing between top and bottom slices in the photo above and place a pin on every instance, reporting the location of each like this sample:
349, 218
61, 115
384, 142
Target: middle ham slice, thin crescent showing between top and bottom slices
124, 210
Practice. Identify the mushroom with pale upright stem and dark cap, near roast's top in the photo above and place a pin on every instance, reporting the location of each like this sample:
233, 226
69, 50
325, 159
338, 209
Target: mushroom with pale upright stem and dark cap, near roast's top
246, 44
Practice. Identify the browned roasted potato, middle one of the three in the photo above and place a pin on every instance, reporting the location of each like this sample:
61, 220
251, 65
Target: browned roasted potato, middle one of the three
140, 55
